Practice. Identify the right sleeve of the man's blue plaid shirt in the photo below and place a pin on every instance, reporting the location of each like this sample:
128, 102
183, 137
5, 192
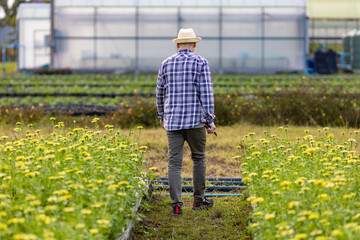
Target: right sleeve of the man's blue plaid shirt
206, 94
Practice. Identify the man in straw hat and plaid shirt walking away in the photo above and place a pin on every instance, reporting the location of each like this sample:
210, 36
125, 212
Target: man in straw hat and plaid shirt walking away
185, 104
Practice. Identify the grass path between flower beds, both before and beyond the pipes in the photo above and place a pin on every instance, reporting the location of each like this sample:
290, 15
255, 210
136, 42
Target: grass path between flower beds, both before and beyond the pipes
229, 217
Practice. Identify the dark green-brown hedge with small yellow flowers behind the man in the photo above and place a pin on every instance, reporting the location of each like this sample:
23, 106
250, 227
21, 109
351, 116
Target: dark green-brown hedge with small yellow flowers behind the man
300, 107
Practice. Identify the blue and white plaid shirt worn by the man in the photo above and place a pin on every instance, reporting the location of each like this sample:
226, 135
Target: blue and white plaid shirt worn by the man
184, 92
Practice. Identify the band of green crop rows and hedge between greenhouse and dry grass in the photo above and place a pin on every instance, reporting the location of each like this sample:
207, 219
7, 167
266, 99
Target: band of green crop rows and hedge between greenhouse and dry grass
127, 100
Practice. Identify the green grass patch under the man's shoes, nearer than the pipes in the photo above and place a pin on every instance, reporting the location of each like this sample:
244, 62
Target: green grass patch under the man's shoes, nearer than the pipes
227, 219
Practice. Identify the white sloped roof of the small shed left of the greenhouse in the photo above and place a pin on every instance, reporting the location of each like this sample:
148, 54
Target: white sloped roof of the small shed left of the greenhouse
33, 11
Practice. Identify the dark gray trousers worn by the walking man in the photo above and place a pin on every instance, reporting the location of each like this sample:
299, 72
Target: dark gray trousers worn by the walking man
196, 138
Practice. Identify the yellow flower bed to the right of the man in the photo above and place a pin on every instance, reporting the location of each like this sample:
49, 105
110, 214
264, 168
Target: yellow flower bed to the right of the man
307, 189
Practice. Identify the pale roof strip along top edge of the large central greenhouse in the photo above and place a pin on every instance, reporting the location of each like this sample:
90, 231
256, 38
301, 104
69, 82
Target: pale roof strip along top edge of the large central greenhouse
184, 3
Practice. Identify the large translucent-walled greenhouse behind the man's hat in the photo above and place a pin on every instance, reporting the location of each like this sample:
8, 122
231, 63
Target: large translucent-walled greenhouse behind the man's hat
135, 36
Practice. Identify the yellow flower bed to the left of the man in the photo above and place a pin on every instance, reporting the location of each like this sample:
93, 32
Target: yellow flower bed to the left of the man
70, 184
